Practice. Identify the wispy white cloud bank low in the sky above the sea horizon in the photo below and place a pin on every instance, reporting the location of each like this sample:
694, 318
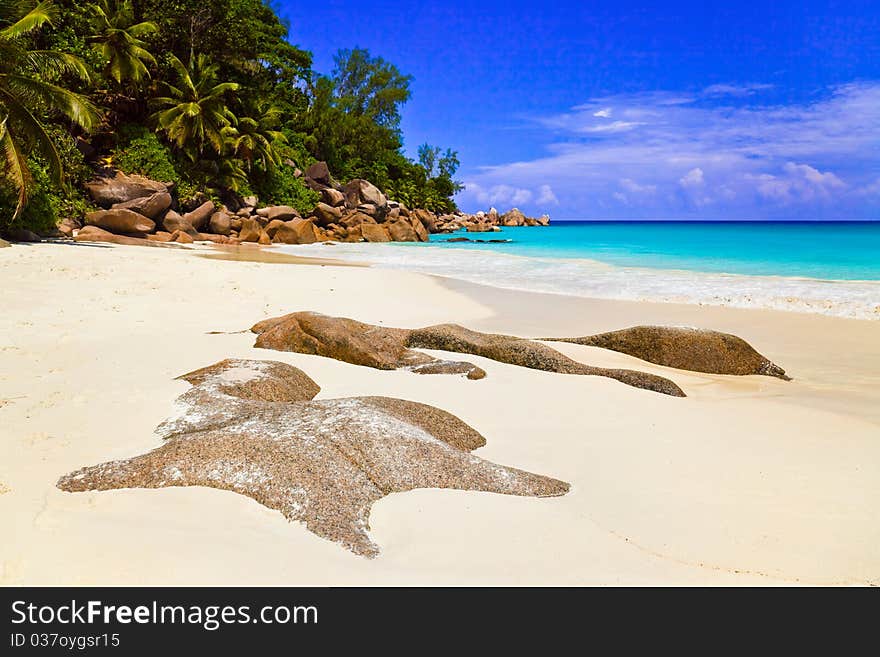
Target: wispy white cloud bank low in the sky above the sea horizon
719, 153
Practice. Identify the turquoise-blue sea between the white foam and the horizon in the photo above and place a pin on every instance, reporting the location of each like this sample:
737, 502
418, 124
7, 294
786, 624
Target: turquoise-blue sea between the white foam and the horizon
822, 250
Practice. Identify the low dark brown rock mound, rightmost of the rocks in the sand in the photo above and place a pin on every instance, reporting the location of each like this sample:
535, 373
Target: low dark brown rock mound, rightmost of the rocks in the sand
698, 350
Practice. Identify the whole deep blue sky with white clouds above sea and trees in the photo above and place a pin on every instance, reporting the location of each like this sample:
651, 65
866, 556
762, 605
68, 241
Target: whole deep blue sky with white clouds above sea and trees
633, 110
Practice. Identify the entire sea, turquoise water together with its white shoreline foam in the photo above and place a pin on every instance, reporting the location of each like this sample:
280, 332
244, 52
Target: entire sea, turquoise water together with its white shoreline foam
822, 267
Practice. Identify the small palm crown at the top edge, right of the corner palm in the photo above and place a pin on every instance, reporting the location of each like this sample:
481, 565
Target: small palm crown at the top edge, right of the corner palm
118, 39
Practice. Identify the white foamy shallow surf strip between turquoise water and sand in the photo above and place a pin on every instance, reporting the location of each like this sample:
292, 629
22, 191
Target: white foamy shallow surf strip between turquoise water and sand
589, 278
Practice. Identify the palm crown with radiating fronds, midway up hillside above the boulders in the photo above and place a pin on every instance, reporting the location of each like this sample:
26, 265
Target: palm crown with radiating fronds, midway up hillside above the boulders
195, 111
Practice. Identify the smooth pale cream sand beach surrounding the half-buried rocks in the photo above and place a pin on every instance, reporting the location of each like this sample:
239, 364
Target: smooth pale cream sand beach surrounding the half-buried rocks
746, 481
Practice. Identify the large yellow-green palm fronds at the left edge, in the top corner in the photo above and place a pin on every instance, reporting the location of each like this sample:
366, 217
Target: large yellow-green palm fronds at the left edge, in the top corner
28, 91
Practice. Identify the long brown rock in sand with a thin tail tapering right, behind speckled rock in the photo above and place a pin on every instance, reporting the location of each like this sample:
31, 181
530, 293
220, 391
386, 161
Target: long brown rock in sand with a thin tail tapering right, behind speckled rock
391, 348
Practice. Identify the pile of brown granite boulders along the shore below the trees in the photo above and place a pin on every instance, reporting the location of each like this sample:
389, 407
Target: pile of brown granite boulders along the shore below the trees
137, 210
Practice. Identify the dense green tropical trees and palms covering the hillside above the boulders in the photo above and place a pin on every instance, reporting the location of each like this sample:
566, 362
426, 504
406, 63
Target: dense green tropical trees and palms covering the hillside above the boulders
210, 96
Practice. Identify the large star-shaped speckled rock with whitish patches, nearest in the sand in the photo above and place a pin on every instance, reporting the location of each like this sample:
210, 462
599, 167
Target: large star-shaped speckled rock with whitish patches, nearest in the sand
251, 427
